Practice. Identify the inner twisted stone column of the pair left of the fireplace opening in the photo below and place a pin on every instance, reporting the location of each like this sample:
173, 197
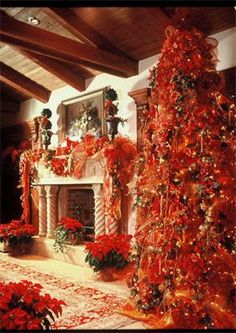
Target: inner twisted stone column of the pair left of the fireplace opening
52, 211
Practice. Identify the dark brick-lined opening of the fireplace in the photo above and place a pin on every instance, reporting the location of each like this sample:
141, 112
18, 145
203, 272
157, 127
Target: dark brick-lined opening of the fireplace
80, 205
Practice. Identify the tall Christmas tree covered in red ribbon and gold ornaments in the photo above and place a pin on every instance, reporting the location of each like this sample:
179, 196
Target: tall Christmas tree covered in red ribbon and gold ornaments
184, 276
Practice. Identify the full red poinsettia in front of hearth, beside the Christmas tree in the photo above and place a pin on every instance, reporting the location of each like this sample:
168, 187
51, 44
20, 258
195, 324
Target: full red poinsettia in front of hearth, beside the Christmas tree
108, 251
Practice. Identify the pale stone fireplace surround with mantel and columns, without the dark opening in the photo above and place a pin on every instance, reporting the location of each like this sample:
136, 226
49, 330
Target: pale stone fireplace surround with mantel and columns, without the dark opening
51, 186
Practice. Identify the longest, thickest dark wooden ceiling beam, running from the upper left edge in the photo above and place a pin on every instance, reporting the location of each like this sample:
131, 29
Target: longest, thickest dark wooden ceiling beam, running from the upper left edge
62, 48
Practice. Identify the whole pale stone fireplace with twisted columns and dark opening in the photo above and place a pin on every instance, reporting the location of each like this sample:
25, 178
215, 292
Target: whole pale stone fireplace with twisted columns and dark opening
80, 198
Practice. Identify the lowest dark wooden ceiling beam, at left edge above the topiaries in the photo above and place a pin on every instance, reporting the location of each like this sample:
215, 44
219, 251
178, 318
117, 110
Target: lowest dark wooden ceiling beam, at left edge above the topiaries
23, 84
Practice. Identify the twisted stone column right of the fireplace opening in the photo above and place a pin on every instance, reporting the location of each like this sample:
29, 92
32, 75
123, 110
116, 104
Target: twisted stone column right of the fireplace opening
99, 210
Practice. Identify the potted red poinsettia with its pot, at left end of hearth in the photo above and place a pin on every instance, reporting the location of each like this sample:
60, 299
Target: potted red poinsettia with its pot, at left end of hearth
17, 237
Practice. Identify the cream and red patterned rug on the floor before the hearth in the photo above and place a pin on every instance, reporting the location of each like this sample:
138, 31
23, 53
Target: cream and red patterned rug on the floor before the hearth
87, 307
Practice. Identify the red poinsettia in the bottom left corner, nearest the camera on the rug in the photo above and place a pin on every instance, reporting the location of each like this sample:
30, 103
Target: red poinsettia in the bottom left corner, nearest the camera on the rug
22, 307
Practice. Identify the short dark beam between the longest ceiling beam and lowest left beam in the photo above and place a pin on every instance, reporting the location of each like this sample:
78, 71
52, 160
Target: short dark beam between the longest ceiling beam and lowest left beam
57, 68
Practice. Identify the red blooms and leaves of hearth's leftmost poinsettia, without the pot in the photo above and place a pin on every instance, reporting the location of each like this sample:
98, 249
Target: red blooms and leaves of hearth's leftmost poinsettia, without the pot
16, 232
